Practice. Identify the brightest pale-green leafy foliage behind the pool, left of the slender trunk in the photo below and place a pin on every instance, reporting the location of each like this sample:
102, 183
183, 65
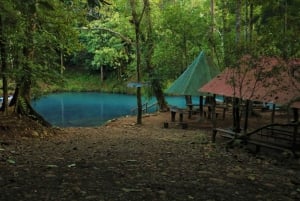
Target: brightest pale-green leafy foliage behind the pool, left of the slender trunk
107, 47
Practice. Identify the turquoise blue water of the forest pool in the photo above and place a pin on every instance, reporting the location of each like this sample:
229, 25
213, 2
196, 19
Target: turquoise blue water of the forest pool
91, 108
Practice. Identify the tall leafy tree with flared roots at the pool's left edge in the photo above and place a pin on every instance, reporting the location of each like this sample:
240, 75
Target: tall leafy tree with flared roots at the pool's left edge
34, 47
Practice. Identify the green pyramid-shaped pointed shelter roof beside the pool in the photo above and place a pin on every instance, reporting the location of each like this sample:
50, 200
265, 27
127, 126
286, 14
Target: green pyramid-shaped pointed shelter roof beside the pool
198, 73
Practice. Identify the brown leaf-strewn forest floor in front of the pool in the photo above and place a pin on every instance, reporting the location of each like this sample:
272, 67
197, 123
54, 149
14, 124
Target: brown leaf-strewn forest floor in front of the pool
124, 161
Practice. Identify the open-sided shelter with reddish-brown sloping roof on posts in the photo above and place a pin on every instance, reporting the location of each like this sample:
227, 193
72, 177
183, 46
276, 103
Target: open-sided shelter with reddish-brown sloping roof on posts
269, 80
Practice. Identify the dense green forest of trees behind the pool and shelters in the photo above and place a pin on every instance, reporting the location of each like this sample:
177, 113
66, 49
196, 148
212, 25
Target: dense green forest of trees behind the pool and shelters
142, 41
